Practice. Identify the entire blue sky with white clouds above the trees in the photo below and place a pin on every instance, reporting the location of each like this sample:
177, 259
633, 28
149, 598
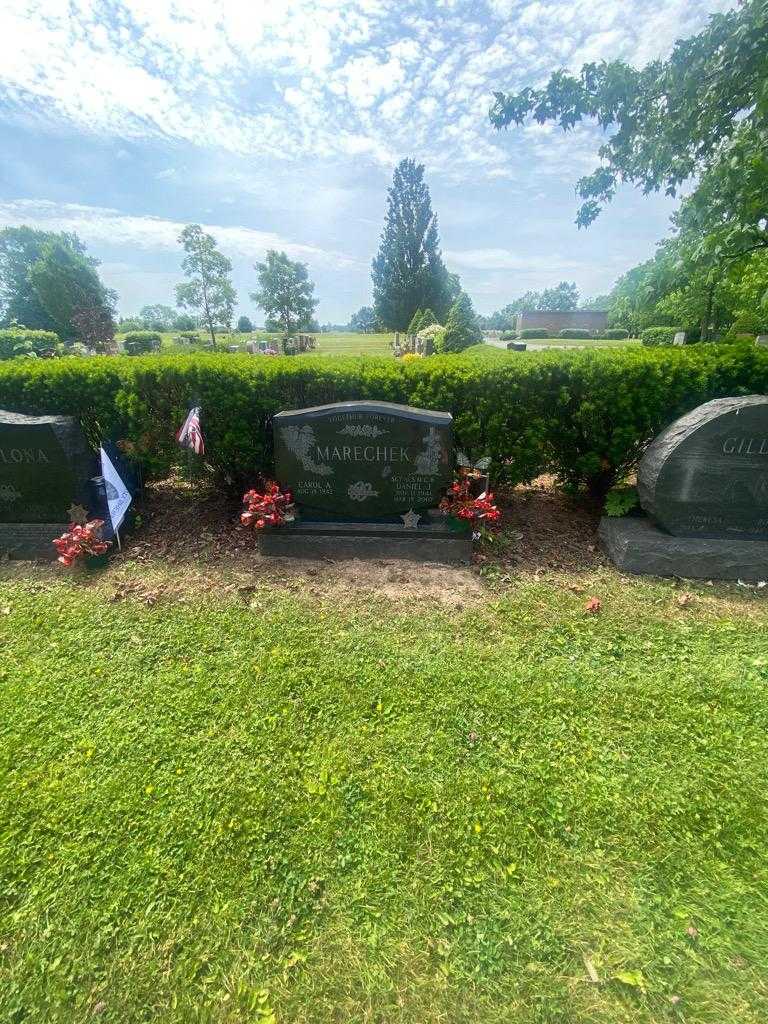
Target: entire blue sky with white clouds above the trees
277, 124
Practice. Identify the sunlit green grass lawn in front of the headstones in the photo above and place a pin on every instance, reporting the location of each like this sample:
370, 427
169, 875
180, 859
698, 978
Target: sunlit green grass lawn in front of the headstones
286, 805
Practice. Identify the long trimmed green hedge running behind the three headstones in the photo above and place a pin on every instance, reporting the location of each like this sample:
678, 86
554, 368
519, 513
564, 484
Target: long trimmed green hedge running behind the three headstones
585, 416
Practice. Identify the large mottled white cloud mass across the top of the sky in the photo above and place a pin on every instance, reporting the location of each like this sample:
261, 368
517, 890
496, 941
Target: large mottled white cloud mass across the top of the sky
316, 78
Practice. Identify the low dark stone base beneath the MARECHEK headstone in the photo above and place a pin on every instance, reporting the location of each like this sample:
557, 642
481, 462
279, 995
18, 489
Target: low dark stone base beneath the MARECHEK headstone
432, 542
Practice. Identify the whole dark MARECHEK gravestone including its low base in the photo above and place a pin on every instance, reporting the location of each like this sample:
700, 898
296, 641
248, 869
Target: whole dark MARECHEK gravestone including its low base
365, 477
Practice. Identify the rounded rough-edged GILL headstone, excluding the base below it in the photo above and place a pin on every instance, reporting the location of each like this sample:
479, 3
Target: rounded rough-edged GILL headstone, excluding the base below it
707, 475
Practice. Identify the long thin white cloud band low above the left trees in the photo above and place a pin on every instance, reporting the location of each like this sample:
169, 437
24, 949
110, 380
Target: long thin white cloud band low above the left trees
106, 227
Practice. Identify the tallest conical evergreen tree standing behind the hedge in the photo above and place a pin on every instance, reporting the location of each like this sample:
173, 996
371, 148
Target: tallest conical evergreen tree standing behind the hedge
408, 272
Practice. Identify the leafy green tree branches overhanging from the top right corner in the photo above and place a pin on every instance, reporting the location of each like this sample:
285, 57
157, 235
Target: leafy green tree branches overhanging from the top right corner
702, 113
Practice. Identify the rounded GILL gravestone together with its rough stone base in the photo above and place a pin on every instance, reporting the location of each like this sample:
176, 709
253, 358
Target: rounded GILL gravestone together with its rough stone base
704, 485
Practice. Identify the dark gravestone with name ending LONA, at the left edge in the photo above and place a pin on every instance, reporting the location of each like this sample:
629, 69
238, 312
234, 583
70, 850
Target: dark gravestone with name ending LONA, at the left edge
47, 467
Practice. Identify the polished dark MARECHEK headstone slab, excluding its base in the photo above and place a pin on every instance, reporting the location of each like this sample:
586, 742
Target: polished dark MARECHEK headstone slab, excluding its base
364, 459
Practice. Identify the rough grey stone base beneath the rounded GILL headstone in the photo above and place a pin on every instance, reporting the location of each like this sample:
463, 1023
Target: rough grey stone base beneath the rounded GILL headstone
637, 545
